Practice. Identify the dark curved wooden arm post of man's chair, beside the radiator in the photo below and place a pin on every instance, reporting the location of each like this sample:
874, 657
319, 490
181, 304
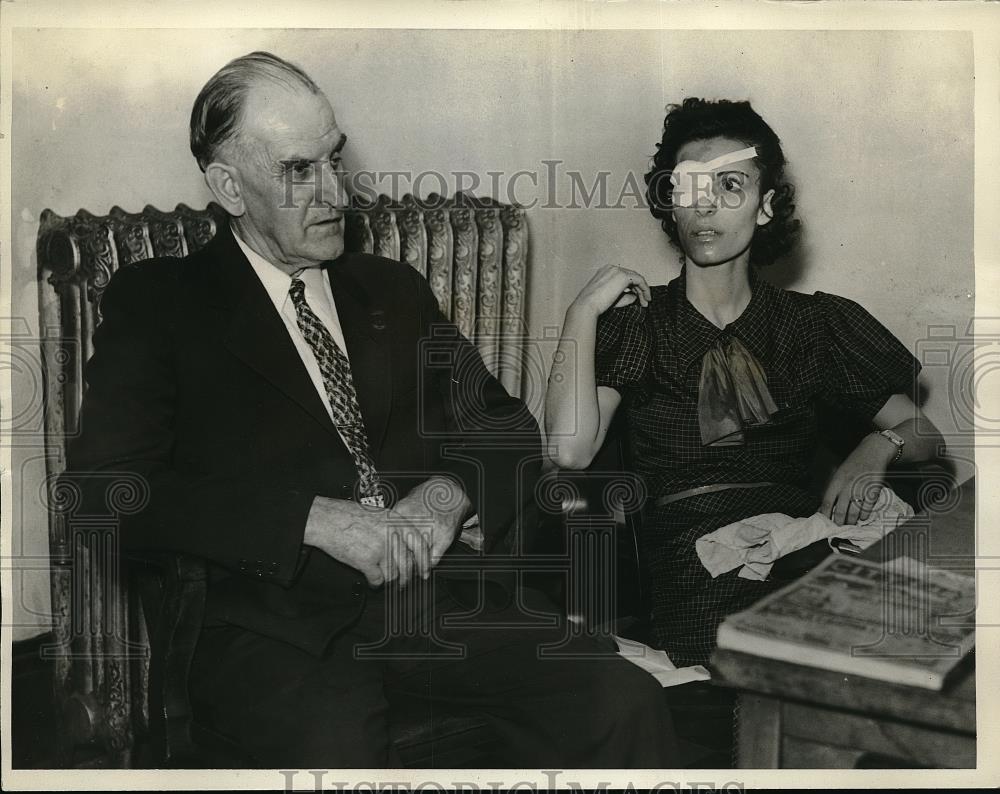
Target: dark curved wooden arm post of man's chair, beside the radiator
172, 588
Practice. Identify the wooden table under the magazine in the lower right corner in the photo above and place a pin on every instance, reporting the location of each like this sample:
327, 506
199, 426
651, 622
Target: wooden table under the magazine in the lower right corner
797, 717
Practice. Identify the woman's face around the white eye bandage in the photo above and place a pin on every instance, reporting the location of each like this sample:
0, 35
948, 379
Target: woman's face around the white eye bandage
720, 226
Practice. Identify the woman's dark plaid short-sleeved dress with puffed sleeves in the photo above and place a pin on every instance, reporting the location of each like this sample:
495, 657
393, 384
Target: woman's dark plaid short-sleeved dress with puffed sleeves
812, 348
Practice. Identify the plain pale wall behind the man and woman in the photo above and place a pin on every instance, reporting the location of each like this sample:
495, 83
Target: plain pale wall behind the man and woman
877, 126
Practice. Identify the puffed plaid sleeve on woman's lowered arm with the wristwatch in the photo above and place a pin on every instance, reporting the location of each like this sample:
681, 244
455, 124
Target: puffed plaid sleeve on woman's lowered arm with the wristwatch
865, 364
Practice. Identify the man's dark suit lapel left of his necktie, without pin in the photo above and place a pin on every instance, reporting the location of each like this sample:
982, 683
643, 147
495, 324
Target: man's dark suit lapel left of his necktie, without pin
255, 332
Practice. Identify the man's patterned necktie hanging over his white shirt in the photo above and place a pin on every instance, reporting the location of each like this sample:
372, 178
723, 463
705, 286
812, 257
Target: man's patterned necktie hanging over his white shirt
339, 385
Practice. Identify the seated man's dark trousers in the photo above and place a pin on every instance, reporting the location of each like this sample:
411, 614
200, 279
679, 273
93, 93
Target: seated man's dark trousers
554, 698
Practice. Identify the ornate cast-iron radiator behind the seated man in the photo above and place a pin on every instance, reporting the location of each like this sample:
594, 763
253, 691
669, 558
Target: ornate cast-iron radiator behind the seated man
472, 251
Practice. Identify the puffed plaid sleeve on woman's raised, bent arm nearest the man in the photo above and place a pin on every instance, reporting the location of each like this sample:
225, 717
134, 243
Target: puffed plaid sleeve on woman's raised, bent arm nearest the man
624, 348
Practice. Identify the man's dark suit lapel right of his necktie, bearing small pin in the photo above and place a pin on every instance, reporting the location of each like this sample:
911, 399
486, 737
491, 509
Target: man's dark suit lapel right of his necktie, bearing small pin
363, 322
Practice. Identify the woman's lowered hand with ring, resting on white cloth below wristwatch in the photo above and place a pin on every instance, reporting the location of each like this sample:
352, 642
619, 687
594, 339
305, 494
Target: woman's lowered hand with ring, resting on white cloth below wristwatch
855, 486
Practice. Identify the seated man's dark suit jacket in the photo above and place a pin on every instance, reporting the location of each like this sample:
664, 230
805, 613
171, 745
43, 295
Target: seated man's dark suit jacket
195, 386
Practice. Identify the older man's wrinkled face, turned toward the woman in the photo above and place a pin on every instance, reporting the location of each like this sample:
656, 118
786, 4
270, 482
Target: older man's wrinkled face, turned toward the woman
287, 163
